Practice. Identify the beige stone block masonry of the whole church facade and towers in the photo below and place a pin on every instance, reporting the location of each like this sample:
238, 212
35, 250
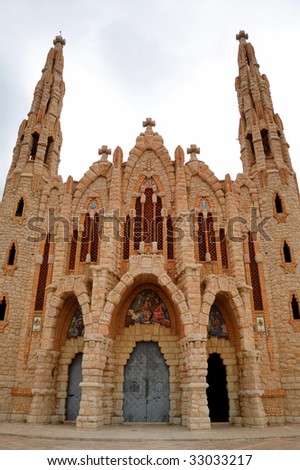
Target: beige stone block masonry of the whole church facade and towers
254, 360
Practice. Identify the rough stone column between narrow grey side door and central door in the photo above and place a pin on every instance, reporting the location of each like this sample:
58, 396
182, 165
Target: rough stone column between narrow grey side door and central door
93, 365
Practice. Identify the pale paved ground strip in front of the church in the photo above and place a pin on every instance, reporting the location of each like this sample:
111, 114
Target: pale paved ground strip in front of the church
153, 437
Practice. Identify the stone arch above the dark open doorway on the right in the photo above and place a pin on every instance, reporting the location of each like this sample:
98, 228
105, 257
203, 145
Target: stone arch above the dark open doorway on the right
223, 290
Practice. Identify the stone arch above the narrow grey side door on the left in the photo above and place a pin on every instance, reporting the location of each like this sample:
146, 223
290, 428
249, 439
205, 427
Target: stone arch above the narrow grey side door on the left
72, 289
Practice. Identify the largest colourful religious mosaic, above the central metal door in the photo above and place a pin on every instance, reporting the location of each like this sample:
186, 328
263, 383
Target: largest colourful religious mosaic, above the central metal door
147, 307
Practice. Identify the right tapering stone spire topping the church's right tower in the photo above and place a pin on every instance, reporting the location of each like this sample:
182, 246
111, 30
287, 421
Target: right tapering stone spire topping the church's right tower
261, 133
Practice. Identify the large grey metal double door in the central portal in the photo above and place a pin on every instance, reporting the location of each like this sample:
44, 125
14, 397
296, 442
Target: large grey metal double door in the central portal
146, 385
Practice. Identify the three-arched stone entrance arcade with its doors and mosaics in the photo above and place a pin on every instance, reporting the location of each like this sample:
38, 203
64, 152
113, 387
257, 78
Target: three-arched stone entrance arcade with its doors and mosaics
145, 364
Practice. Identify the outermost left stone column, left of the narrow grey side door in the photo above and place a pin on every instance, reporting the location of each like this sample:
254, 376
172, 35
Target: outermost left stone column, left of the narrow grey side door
44, 392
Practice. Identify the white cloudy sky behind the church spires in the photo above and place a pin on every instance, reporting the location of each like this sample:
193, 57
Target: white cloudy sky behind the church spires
125, 60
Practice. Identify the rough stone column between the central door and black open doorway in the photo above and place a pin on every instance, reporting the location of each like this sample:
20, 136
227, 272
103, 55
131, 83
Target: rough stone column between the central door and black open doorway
194, 353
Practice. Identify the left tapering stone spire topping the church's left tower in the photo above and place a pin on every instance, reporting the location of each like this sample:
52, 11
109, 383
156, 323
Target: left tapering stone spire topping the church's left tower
39, 139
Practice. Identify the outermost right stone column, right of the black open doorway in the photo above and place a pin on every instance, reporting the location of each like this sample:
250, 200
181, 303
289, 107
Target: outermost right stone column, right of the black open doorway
250, 394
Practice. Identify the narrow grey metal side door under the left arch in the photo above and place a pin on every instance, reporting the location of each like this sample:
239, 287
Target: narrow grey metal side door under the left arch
74, 391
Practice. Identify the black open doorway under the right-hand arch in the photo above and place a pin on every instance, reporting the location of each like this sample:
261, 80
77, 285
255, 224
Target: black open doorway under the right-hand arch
217, 395
